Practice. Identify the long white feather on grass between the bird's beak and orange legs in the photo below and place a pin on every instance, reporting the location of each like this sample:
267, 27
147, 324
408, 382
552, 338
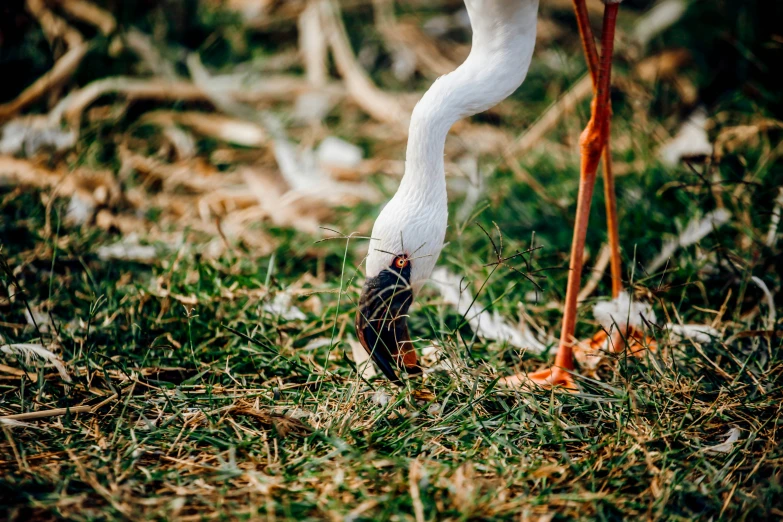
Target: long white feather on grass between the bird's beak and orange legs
487, 325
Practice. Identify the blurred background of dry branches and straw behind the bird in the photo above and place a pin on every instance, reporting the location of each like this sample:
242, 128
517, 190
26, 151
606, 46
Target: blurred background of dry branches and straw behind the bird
256, 126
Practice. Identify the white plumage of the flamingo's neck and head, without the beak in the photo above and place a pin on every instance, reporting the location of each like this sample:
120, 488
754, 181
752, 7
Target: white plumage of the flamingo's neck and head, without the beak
414, 221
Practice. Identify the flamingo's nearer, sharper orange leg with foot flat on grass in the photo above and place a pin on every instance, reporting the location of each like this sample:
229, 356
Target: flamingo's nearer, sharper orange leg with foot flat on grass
592, 143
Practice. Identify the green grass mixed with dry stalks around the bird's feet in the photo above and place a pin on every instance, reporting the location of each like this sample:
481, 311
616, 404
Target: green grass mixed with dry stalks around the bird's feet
214, 405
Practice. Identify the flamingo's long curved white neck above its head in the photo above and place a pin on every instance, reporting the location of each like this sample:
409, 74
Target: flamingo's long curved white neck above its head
504, 33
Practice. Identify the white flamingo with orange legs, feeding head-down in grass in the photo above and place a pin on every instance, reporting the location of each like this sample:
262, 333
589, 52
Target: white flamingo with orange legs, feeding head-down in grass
409, 233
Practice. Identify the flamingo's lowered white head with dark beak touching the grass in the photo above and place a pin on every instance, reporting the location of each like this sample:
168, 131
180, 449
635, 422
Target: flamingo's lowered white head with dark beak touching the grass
406, 241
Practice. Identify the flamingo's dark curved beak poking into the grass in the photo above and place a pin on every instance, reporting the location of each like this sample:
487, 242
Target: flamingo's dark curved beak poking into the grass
382, 324
